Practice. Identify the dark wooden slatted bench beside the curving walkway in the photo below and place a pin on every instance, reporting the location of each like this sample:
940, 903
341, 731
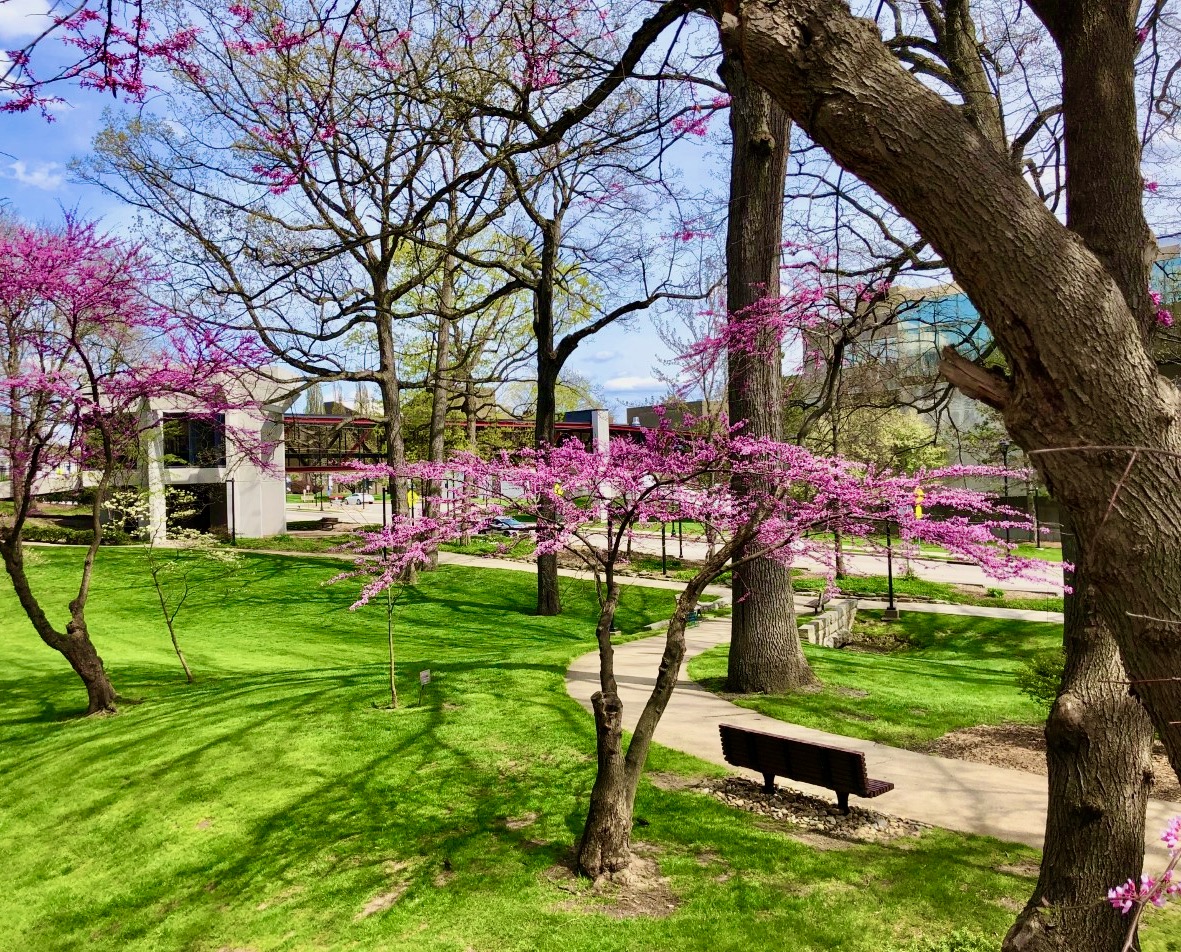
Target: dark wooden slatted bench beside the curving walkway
821, 766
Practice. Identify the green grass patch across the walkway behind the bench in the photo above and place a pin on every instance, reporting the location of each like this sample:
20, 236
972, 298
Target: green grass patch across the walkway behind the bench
958, 673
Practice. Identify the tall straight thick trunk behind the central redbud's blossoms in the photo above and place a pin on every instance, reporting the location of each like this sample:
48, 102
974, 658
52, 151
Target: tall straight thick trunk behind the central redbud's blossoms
765, 650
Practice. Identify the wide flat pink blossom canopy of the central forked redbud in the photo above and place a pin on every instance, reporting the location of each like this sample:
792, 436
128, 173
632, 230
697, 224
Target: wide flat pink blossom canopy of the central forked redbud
786, 493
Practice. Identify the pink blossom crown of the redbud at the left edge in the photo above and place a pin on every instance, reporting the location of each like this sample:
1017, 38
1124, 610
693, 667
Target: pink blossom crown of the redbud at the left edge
92, 350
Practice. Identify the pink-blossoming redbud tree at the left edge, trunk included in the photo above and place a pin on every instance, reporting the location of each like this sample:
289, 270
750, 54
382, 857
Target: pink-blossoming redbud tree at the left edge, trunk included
84, 354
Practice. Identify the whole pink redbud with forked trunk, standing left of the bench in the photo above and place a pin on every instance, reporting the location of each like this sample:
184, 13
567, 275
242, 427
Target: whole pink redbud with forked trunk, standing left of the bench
571, 492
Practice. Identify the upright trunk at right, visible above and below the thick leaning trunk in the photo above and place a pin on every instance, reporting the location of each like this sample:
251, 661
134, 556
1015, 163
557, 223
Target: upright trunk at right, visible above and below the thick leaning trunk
1099, 736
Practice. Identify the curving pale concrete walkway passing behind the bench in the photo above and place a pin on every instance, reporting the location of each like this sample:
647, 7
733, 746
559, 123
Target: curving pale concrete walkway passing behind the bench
960, 795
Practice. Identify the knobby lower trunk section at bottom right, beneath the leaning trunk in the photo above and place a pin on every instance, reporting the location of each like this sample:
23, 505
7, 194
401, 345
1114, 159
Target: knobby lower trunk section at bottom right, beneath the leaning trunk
1099, 753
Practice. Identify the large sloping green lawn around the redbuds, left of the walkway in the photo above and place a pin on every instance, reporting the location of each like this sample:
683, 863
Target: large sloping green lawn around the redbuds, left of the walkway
269, 805
